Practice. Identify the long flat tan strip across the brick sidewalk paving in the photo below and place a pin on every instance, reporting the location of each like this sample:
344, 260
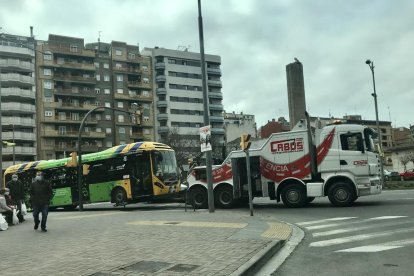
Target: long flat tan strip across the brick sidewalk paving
189, 223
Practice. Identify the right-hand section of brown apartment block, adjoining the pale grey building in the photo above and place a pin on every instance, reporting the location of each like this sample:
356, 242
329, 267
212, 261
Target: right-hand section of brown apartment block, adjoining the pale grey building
124, 82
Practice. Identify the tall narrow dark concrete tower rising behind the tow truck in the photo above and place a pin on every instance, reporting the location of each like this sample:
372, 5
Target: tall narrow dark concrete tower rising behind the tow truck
296, 92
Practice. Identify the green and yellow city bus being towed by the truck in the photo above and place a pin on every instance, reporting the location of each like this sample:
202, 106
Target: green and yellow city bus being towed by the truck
128, 173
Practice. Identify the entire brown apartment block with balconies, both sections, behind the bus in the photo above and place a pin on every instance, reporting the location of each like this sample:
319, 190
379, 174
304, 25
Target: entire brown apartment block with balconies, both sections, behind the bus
74, 79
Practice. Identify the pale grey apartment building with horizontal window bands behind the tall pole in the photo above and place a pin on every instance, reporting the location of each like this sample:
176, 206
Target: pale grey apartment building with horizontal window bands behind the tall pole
179, 97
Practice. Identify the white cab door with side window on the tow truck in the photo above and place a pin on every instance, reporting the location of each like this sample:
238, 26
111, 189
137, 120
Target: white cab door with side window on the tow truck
353, 155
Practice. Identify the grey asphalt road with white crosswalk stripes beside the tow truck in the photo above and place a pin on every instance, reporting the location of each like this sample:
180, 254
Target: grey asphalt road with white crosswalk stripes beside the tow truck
374, 237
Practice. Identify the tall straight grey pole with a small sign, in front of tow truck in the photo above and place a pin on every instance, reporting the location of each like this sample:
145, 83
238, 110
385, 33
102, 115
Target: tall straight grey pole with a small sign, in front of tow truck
209, 166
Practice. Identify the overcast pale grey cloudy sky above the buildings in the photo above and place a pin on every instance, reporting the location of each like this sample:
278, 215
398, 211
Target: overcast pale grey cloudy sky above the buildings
256, 39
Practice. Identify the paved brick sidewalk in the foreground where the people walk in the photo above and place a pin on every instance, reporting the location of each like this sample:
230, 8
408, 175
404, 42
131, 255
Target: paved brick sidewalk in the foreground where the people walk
142, 241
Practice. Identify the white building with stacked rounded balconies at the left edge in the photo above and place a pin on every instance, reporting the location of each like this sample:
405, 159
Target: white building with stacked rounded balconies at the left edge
18, 91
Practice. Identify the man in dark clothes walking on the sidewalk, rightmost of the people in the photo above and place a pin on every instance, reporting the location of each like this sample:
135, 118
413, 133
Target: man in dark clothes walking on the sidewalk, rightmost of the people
41, 193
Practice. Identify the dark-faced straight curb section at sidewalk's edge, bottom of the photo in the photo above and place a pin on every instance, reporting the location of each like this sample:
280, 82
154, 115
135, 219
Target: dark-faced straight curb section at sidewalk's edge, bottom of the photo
258, 260
